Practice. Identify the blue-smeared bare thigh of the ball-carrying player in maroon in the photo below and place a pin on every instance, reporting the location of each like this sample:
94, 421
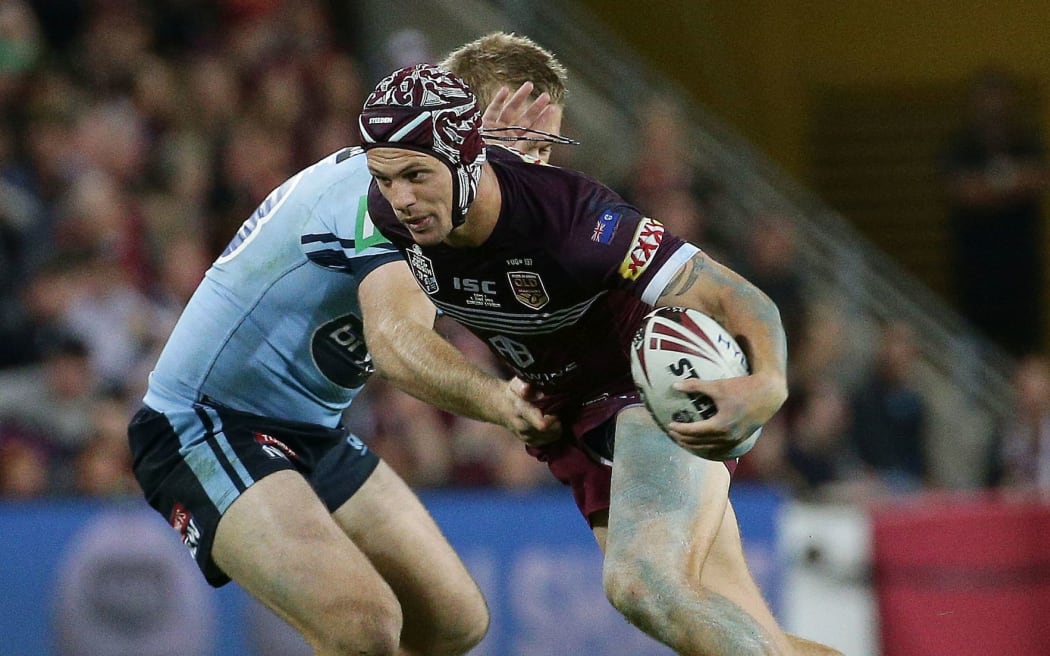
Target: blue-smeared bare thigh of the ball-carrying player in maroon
666, 504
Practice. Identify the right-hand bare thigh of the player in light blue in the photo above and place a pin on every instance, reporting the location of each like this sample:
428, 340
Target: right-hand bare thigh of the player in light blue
389, 523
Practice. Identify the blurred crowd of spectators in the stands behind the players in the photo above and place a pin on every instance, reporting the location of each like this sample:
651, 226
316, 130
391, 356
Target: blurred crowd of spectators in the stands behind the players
134, 142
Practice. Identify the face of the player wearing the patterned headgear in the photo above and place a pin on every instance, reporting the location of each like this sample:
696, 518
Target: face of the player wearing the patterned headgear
419, 187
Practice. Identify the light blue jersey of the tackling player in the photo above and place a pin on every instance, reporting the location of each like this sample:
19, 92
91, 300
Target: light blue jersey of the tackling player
276, 329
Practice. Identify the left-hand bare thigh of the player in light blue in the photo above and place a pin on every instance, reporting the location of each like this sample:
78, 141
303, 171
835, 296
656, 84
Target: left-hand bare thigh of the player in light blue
280, 543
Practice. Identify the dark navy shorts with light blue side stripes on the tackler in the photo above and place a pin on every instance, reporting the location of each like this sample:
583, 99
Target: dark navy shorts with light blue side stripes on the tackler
193, 464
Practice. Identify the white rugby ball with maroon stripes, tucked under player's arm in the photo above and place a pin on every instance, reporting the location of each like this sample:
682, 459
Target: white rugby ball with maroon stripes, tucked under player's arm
675, 345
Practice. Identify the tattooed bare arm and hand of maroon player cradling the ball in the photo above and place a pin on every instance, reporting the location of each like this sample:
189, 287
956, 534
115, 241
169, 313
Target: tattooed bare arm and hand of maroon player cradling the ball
752, 318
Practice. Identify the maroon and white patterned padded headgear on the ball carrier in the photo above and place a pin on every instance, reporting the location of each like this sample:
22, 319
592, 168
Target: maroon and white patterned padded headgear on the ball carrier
428, 109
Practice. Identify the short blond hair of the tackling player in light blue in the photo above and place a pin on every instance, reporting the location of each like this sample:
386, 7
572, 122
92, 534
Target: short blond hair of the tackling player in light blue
502, 59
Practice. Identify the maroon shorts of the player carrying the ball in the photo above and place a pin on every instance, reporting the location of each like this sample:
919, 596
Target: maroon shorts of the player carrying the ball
585, 463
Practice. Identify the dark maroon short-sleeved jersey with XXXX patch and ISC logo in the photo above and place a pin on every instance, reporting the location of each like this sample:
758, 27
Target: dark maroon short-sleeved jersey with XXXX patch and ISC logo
559, 288
